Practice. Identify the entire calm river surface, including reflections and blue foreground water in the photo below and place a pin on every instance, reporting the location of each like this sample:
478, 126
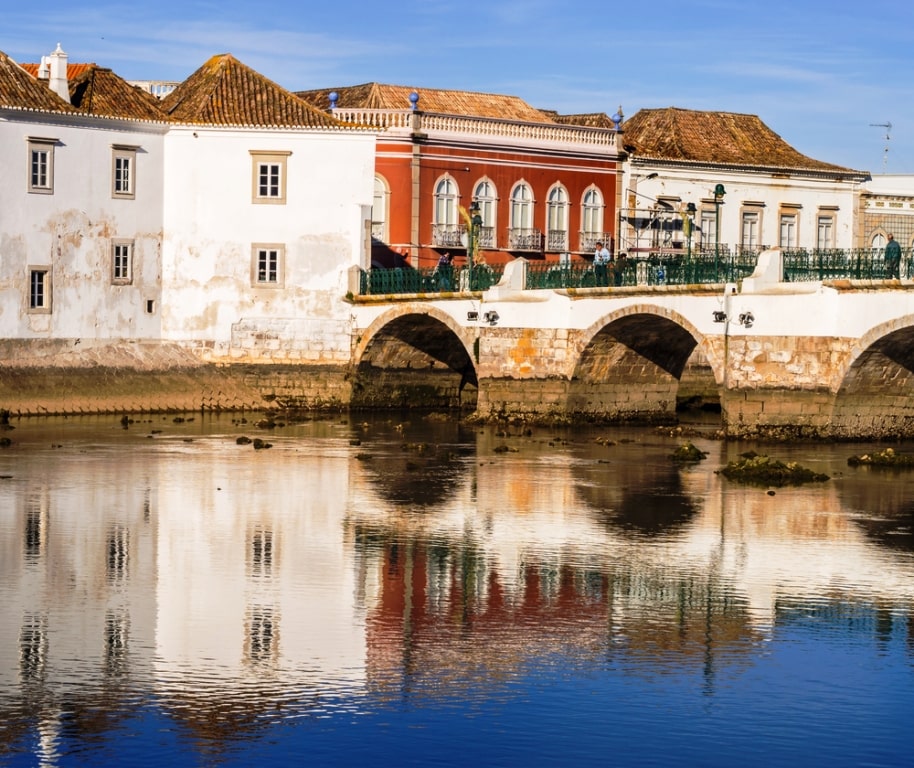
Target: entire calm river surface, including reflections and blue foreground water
415, 591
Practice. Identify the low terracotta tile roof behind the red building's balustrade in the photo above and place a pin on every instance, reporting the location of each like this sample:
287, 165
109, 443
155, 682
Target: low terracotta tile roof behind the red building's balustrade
470, 103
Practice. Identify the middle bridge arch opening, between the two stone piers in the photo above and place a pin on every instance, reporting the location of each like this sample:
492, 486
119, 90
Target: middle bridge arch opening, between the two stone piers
631, 369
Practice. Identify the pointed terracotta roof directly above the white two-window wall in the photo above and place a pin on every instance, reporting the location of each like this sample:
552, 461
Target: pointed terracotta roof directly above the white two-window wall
226, 92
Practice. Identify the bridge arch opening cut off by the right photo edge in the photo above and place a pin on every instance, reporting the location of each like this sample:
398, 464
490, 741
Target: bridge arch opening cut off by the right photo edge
876, 397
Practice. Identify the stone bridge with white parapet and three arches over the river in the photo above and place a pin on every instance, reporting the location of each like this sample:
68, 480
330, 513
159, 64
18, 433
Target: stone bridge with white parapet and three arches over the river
829, 358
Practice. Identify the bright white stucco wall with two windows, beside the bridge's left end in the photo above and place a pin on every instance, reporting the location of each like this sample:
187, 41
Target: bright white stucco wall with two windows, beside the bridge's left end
212, 224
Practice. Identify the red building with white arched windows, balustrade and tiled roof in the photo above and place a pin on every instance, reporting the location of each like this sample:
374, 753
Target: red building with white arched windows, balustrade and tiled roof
544, 187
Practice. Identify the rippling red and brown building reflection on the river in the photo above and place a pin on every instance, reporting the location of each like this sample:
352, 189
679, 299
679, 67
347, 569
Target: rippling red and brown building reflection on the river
443, 615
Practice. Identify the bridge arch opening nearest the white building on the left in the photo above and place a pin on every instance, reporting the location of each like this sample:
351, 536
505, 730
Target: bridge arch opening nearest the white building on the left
415, 361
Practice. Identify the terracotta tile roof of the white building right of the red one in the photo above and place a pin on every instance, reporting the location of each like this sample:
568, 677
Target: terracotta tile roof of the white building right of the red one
720, 138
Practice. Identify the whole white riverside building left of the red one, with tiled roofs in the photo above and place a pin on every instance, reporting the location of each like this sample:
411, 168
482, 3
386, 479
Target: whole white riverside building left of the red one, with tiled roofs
224, 217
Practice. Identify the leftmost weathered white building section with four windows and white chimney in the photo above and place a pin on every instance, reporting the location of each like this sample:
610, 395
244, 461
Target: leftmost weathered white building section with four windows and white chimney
80, 207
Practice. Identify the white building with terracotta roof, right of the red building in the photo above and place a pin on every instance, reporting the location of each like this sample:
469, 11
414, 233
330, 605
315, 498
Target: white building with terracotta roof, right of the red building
741, 184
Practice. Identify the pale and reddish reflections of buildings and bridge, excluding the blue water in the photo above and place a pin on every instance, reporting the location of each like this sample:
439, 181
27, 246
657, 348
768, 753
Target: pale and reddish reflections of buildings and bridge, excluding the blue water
234, 589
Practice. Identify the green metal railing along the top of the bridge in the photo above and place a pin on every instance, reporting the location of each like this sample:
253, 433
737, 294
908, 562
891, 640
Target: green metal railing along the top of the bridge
706, 267
